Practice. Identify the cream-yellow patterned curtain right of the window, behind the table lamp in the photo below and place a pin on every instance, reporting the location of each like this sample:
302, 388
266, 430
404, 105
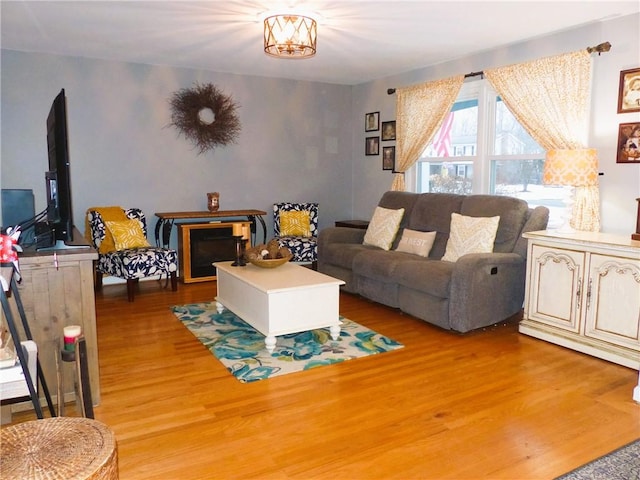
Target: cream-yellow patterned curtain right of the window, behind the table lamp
550, 98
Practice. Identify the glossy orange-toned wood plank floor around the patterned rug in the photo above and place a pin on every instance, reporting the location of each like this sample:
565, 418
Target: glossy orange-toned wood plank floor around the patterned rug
491, 404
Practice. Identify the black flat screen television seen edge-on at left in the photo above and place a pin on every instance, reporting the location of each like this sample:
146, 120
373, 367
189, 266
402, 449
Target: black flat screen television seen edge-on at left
58, 177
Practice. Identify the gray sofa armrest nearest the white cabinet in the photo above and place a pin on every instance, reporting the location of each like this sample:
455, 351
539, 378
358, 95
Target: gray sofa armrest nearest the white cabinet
486, 288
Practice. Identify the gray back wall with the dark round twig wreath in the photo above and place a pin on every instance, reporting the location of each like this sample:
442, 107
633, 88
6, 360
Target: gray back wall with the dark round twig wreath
295, 143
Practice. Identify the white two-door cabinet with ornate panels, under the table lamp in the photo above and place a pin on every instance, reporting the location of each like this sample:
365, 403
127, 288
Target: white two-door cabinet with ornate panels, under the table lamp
583, 292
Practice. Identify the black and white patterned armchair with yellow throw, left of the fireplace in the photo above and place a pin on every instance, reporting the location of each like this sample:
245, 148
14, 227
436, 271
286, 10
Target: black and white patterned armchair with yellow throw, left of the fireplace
133, 263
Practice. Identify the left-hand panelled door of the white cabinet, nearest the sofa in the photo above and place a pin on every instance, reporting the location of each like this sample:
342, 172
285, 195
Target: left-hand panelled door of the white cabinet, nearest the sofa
556, 287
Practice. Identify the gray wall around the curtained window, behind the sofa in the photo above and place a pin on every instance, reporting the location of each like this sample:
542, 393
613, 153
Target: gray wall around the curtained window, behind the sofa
620, 184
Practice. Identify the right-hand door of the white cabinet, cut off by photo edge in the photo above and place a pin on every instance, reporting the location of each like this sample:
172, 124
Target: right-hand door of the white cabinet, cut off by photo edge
613, 300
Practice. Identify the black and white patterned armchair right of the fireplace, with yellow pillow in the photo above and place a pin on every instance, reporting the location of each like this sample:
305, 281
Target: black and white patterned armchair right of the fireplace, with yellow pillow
296, 228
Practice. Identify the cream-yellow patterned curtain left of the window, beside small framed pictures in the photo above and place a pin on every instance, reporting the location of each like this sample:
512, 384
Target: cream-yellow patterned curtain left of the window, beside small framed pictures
420, 110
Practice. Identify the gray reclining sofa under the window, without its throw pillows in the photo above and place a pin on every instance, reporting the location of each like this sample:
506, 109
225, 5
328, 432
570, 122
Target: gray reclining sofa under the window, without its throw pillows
477, 290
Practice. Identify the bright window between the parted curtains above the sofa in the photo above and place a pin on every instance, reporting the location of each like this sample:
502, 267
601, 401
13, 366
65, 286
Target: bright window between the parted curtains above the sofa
482, 148
